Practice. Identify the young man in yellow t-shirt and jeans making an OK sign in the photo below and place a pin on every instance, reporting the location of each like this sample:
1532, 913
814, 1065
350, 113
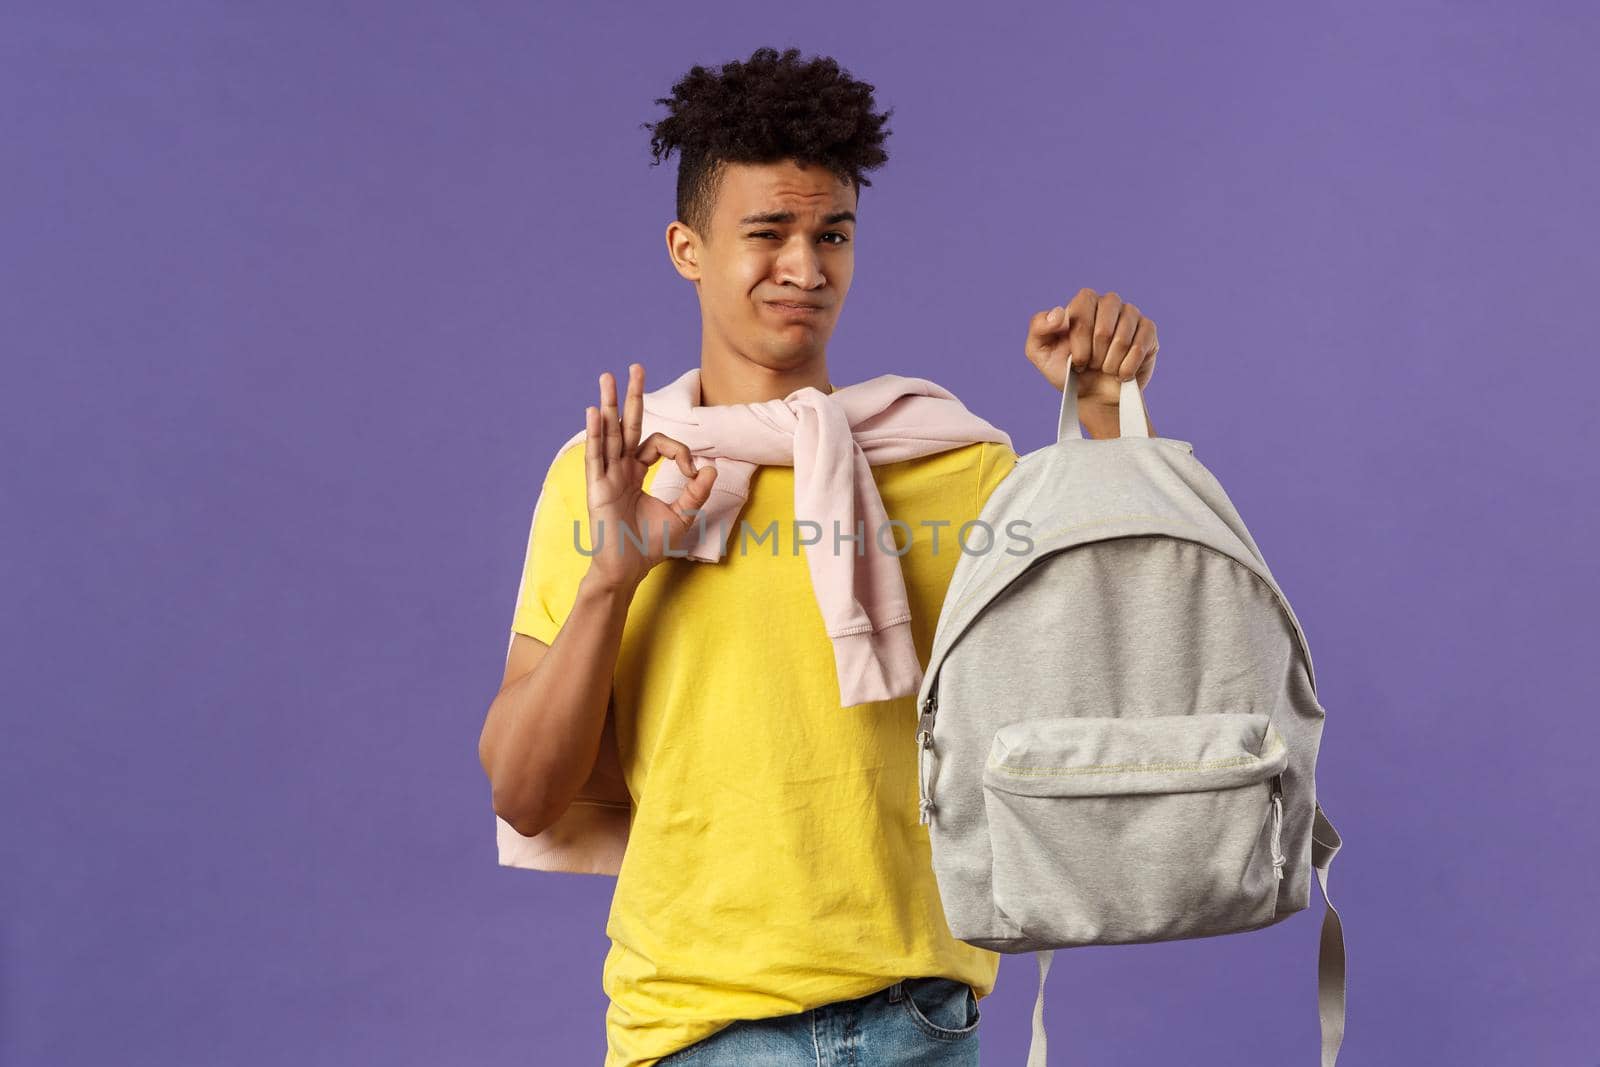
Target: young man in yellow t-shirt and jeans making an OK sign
775, 903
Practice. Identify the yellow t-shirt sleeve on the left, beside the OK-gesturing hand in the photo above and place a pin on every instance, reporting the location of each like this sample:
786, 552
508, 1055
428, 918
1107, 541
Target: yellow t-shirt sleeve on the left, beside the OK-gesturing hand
553, 564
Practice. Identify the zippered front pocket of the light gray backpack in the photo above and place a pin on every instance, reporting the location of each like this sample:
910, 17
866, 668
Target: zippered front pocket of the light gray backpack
1111, 831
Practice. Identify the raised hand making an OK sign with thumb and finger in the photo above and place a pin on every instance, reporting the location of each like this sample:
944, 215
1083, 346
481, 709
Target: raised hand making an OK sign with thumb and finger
615, 465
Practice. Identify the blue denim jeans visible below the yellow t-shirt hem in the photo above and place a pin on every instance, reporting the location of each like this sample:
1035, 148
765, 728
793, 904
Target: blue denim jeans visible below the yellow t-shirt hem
914, 1023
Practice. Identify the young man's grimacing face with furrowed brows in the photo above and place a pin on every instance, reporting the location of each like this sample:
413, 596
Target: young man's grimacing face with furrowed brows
780, 236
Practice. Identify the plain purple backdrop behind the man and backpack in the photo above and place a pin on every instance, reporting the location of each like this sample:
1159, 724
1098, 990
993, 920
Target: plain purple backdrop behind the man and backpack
298, 302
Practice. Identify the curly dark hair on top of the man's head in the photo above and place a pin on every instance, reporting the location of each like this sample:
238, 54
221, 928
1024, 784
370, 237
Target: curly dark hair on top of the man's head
766, 110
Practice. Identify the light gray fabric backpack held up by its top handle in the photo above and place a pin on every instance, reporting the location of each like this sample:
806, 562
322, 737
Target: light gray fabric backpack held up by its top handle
1119, 722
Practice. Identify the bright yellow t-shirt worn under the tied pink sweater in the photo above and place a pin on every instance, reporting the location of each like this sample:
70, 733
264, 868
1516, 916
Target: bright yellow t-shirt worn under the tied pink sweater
775, 861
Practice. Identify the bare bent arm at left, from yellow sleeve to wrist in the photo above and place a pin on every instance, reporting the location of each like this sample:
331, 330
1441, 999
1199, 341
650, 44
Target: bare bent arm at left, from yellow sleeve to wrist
546, 727
